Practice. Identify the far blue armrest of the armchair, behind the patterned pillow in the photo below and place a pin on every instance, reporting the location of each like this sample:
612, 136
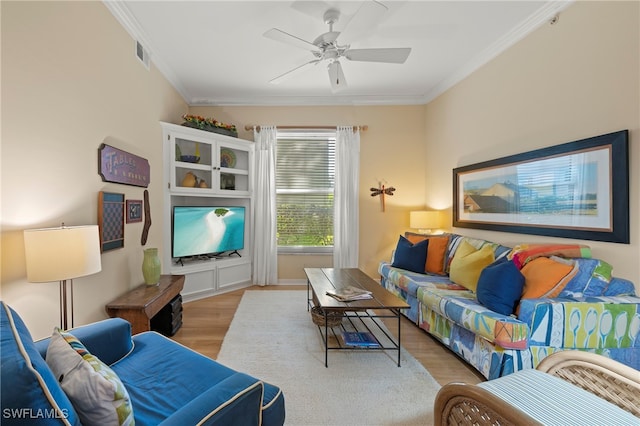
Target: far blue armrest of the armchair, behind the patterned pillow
109, 340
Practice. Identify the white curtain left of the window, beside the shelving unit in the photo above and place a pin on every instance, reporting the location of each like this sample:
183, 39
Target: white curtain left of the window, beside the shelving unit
265, 251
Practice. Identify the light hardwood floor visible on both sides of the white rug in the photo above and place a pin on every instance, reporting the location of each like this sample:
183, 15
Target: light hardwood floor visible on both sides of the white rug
206, 321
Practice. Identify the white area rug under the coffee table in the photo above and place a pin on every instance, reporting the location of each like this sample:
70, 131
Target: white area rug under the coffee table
273, 338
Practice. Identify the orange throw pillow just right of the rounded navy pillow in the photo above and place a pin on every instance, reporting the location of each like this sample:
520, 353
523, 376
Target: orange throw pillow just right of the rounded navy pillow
546, 278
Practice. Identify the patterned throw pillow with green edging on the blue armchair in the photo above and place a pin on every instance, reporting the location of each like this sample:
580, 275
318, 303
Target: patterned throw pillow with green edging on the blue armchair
94, 389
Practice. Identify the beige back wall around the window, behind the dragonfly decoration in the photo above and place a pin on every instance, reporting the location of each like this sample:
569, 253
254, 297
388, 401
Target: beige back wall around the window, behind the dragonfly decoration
392, 152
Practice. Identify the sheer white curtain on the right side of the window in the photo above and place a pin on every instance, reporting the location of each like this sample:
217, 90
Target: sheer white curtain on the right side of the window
346, 233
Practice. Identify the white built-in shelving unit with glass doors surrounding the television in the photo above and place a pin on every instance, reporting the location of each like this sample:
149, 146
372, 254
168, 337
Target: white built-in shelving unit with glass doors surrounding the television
207, 169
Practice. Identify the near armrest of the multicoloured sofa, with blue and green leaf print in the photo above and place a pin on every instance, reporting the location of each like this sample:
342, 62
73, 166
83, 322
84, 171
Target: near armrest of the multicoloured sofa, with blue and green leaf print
583, 322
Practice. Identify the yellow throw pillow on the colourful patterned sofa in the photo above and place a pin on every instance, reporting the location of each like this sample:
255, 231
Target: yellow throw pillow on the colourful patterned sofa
468, 263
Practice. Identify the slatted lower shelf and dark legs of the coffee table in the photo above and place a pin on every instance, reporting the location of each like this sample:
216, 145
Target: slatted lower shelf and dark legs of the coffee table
360, 321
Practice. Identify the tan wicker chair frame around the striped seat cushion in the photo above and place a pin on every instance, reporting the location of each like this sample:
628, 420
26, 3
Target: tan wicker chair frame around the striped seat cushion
463, 404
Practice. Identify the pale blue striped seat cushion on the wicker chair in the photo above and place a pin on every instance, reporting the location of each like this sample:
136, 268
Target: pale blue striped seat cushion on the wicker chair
553, 401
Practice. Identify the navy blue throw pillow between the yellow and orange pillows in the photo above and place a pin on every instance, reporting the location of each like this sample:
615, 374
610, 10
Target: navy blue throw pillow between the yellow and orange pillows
500, 286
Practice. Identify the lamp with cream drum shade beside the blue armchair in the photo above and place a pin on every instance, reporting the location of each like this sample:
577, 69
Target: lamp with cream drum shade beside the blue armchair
62, 254
